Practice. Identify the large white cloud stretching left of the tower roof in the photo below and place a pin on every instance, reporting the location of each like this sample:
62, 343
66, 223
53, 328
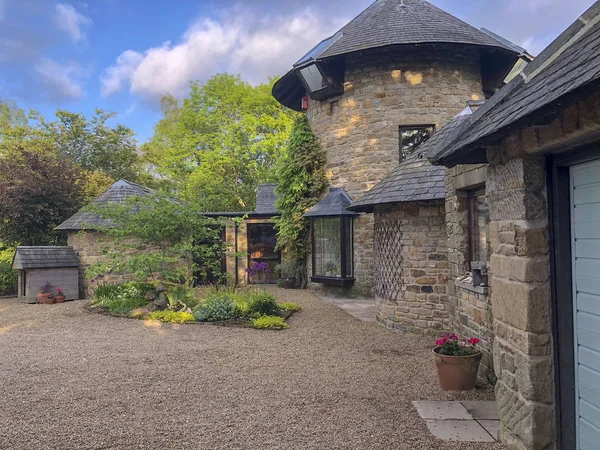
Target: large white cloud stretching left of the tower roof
238, 42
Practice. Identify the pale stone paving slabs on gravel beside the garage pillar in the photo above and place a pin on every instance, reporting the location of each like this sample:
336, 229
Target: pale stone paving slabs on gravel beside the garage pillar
463, 421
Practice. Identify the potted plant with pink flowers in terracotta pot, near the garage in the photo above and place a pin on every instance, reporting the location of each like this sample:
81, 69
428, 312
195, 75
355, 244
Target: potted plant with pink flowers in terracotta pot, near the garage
457, 362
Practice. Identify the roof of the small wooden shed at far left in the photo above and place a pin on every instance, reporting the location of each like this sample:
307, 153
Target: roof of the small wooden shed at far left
44, 258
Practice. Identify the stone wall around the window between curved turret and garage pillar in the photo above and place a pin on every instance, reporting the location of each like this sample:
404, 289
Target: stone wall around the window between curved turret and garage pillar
469, 307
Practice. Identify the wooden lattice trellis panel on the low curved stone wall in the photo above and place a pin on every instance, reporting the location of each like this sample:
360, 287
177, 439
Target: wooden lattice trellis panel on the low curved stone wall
388, 260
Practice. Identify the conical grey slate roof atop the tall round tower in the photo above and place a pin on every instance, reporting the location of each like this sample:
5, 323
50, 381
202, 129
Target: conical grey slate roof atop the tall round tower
393, 22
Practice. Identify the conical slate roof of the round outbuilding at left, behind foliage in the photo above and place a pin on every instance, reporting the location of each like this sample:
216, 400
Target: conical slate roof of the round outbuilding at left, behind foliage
119, 192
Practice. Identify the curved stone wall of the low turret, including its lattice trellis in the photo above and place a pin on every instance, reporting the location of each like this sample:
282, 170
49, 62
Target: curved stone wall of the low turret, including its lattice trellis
411, 267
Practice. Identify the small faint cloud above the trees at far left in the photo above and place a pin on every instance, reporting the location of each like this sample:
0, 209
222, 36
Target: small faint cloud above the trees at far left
60, 81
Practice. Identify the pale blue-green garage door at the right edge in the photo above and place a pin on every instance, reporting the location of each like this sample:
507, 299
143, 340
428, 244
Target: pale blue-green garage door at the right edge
585, 203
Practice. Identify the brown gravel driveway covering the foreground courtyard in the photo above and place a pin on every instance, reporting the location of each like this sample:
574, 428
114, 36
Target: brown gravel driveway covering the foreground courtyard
73, 379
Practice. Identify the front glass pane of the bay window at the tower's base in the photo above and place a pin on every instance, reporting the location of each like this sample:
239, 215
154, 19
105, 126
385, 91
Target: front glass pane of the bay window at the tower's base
327, 247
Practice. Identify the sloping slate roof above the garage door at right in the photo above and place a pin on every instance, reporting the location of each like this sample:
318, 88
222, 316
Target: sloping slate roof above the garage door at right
567, 66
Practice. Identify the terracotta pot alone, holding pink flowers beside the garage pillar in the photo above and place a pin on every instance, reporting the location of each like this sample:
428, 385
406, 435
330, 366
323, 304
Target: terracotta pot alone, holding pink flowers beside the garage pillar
457, 373
